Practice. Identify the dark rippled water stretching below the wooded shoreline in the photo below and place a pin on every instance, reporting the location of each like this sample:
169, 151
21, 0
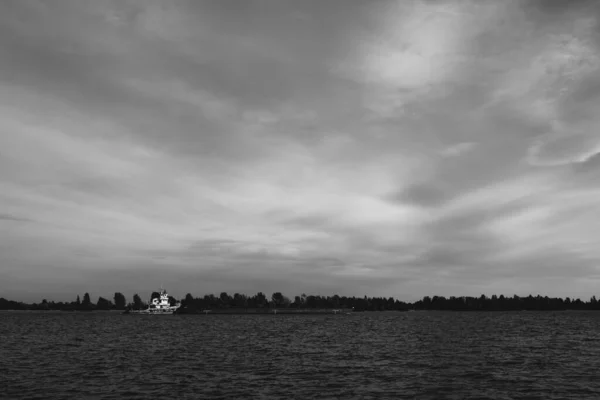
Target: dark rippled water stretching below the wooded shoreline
421, 355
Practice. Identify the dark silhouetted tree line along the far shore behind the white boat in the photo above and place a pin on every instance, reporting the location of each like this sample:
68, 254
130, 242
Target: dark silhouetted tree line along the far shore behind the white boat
278, 300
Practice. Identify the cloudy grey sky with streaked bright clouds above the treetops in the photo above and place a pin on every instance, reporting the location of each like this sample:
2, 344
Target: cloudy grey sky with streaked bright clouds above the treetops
379, 148
